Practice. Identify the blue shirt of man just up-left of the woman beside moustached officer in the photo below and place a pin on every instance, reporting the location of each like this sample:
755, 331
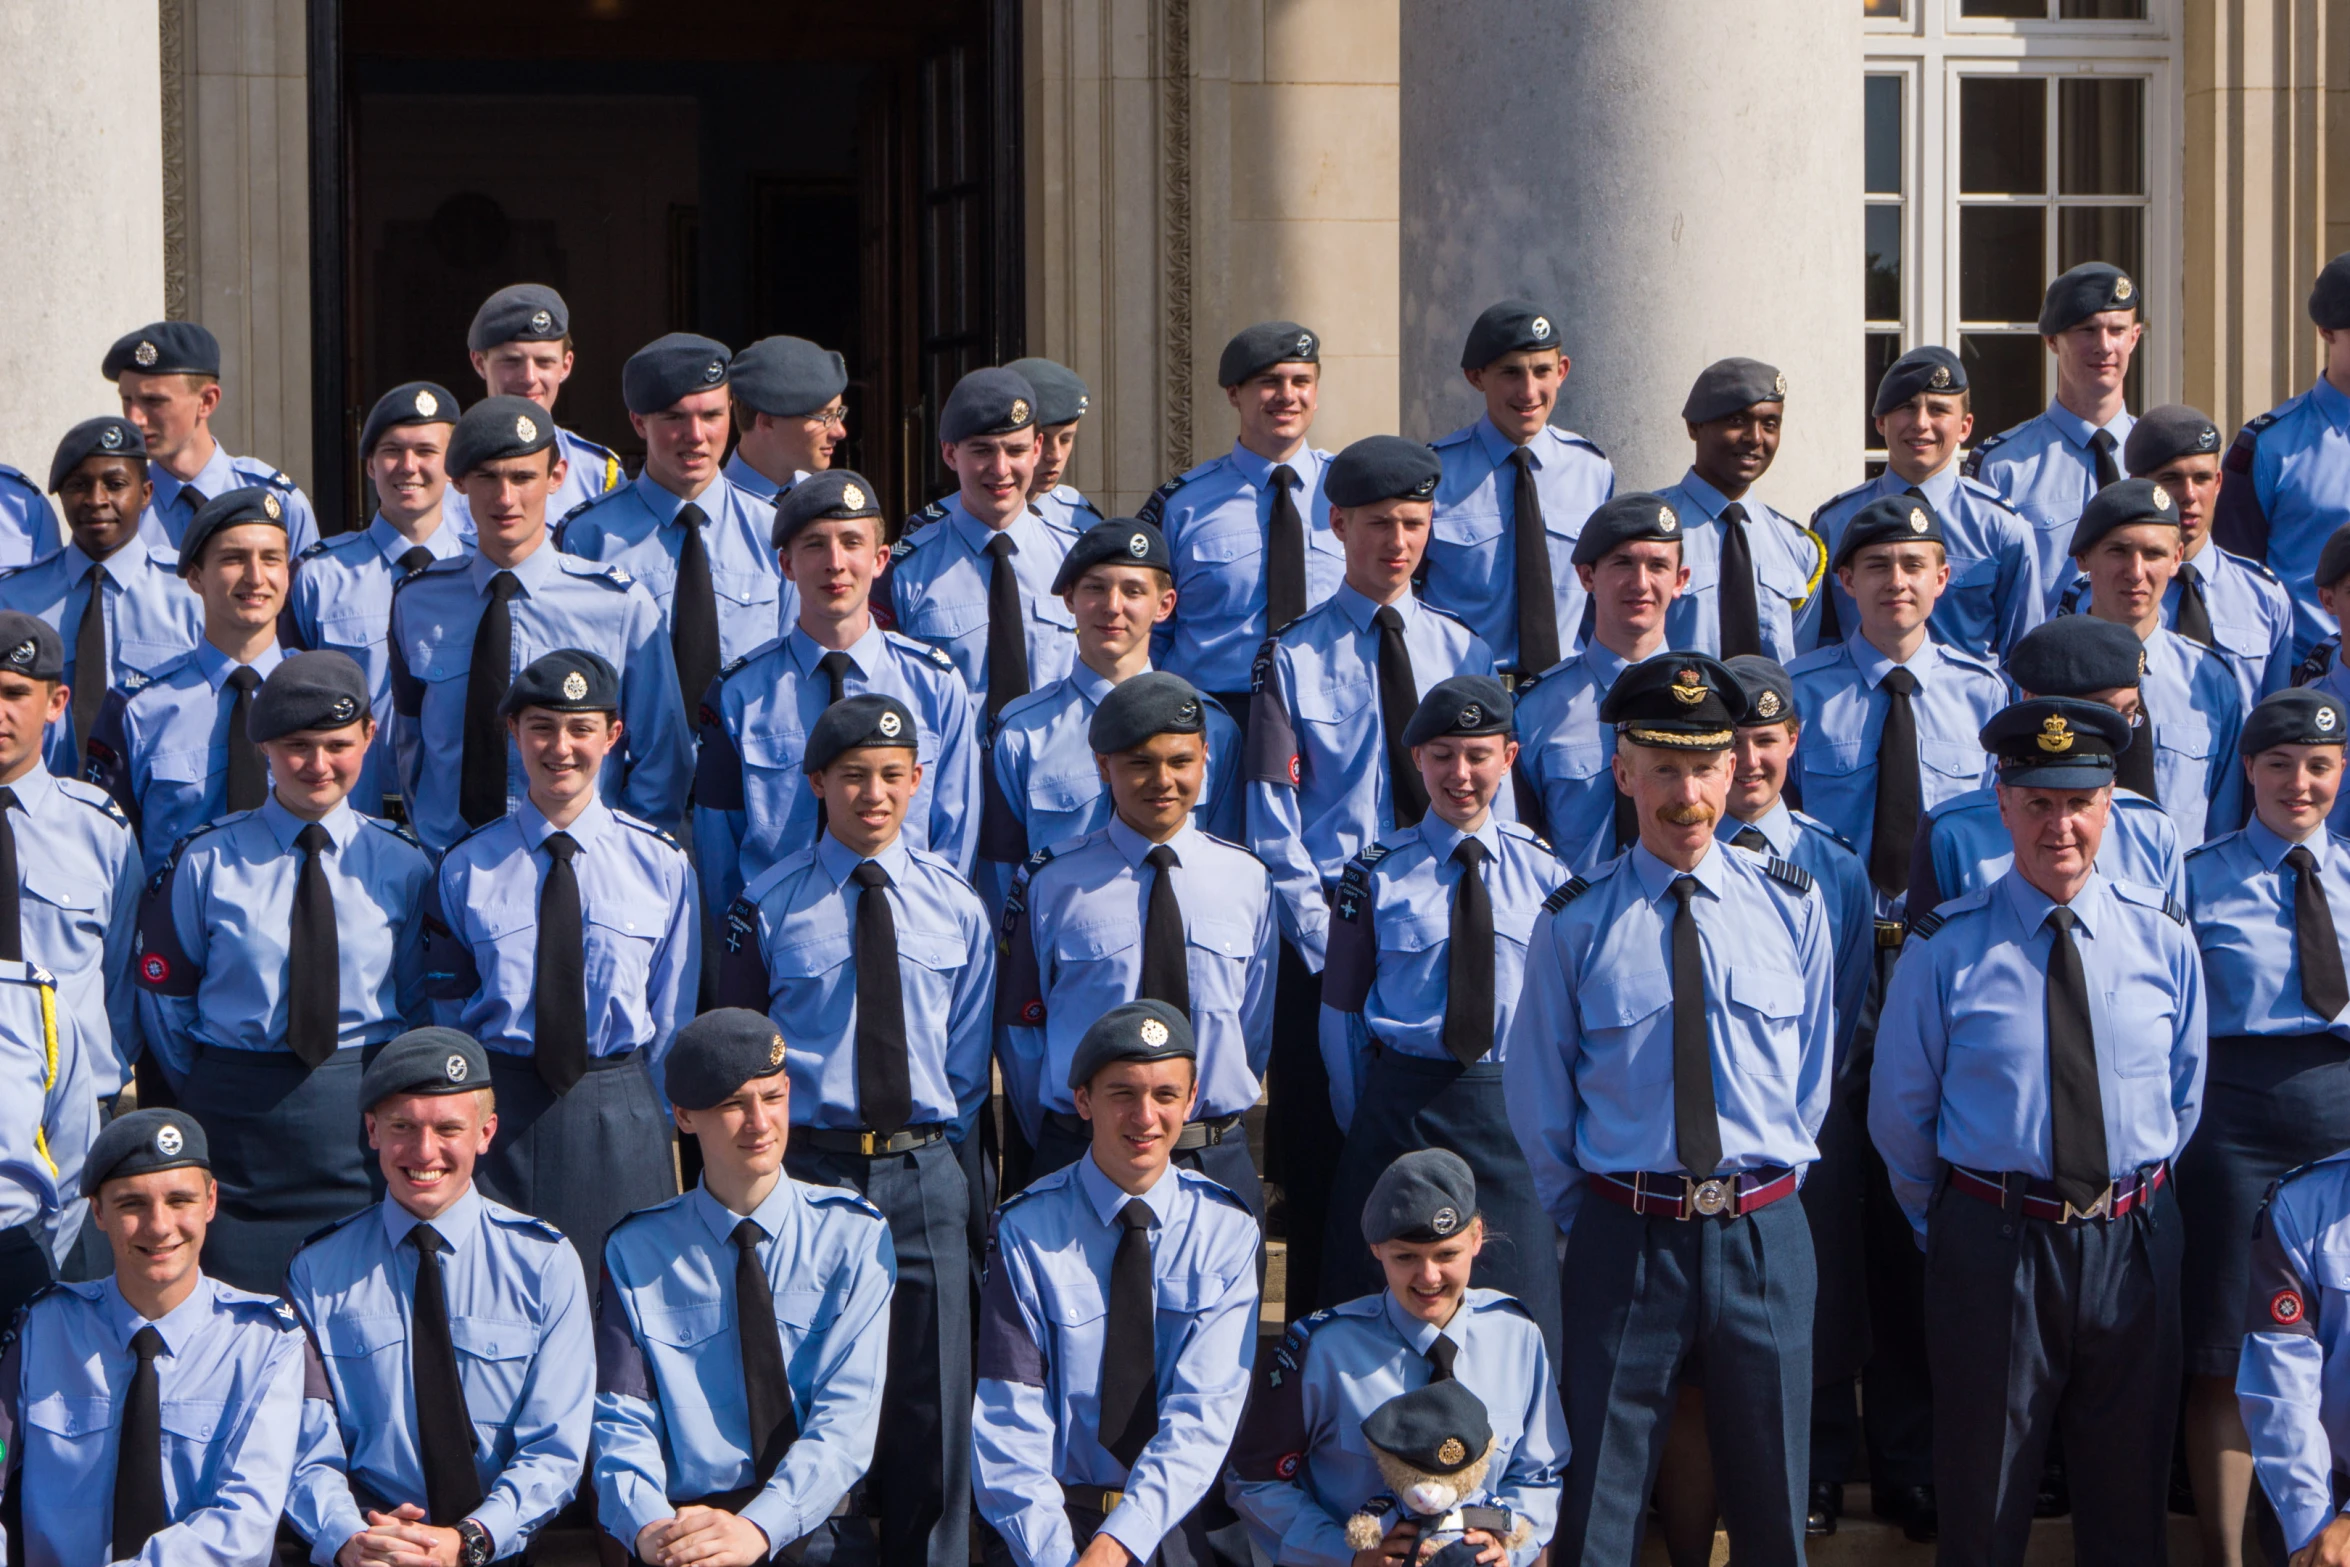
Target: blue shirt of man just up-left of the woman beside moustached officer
1317, 746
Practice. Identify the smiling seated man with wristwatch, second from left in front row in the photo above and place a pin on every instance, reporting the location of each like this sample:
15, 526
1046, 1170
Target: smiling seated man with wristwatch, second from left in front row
452, 1333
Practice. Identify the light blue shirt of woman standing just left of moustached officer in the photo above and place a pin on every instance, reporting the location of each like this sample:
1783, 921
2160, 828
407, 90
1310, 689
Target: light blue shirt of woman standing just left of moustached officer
1392, 943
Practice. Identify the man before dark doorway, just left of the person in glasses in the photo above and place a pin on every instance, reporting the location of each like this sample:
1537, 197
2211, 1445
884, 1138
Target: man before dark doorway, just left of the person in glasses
683, 527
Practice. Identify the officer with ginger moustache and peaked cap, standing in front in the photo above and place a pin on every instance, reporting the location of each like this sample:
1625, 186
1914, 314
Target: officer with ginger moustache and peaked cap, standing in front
1672, 1056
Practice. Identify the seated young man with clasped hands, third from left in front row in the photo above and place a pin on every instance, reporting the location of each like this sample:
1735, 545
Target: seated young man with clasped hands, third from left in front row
751, 1430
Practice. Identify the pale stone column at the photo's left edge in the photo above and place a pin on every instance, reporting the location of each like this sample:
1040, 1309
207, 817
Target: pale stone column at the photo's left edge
81, 250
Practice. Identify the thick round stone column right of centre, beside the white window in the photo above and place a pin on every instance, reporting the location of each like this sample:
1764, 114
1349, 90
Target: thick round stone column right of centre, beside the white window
1681, 180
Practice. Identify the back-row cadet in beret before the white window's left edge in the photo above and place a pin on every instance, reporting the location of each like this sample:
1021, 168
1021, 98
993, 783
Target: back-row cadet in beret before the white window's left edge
1923, 412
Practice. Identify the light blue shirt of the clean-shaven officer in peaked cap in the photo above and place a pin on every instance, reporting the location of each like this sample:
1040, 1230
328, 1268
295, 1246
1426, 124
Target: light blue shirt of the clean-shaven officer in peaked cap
1963, 1047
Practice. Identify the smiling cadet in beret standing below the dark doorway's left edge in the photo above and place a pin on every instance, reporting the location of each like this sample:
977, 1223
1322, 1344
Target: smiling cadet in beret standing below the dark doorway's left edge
344, 586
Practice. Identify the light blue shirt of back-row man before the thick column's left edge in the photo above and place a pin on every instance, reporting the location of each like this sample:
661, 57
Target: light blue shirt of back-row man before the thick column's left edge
1472, 544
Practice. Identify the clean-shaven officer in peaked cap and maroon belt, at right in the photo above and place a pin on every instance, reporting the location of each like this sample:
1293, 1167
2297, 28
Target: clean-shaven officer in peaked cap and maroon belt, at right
2039, 1065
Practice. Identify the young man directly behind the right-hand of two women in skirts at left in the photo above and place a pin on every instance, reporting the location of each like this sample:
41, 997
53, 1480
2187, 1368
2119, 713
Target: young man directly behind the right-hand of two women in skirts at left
466, 628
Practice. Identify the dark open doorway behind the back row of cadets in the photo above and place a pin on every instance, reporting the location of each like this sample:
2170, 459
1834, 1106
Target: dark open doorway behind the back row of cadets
734, 168
